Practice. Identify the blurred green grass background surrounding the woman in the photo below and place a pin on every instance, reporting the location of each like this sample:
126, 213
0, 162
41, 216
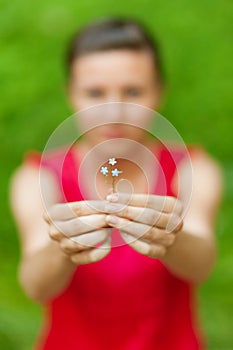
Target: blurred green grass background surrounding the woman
196, 39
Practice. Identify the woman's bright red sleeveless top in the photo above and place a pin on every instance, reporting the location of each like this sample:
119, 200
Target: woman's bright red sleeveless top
126, 301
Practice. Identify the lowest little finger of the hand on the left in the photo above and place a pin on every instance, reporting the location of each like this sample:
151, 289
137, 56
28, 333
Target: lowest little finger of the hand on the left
93, 255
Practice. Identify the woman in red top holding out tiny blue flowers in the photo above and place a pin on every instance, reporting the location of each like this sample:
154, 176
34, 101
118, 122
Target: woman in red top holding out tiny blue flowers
141, 294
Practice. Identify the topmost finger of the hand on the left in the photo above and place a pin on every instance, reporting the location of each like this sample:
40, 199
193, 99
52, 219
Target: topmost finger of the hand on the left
67, 211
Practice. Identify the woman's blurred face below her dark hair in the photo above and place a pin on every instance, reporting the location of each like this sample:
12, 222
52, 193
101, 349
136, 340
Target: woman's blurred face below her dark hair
114, 76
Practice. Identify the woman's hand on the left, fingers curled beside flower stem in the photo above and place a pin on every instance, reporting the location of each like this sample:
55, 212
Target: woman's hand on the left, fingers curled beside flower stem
78, 227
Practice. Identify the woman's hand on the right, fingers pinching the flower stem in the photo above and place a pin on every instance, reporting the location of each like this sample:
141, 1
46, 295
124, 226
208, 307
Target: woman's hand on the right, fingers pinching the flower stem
148, 223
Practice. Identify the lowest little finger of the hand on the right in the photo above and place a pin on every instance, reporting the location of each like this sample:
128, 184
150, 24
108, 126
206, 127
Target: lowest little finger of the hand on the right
151, 250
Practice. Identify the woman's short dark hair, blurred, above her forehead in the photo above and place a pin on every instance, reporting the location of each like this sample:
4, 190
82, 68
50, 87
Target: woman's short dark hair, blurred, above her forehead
114, 33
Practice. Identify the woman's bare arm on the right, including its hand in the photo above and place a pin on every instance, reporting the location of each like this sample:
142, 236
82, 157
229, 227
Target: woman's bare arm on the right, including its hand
189, 250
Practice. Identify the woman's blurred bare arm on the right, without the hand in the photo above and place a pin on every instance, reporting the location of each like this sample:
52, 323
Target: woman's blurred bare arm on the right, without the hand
193, 253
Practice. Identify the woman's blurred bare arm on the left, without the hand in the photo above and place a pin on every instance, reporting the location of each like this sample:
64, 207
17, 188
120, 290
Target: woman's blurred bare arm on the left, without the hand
44, 269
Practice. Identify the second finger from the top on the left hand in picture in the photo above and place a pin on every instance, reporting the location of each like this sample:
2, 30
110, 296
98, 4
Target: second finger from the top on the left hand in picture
82, 225
